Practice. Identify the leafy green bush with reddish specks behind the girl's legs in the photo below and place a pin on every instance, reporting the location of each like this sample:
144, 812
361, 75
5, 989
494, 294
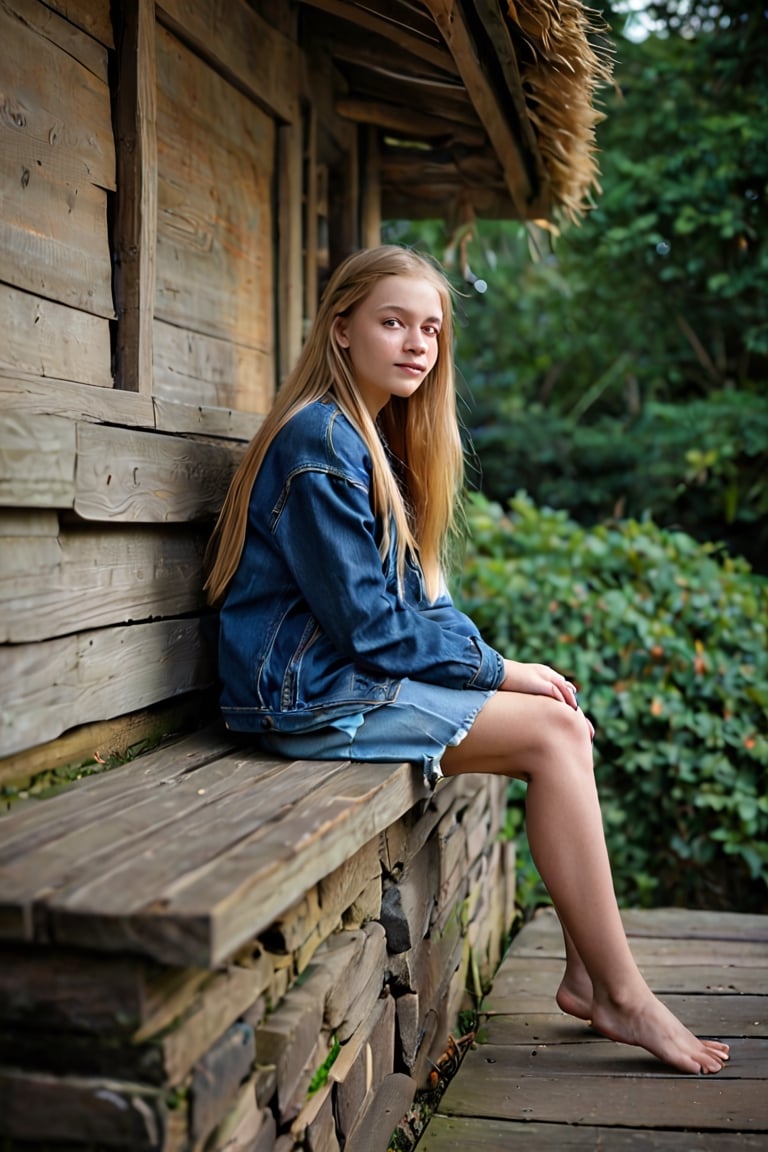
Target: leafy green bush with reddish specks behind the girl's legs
668, 642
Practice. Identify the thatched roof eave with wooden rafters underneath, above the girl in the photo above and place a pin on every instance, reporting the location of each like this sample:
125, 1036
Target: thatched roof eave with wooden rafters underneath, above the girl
482, 108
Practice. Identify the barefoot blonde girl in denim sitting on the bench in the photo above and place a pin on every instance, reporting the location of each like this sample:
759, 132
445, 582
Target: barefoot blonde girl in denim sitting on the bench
339, 640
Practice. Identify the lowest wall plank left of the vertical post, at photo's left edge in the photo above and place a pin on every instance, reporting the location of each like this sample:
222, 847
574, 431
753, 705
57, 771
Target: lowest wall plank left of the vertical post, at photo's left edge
45, 339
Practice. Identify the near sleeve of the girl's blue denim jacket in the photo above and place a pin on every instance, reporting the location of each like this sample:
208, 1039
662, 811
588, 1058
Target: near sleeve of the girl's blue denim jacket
326, 533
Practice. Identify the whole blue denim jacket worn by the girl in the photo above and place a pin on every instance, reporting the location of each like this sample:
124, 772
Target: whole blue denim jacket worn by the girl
313, 627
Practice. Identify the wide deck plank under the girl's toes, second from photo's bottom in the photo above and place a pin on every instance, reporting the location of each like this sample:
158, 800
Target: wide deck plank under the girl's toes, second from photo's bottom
493, 1085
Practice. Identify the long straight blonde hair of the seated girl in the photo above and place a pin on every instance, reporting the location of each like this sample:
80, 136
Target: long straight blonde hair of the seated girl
422, 433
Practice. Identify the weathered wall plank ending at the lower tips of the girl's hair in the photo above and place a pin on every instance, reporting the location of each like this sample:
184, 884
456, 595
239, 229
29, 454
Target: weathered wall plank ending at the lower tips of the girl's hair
50, 586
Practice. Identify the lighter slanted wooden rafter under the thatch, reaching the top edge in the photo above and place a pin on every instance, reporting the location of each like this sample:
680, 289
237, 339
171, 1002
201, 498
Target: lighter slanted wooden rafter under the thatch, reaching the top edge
450, 18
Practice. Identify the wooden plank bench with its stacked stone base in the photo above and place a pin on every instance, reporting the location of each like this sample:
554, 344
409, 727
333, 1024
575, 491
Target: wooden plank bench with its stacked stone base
185, 939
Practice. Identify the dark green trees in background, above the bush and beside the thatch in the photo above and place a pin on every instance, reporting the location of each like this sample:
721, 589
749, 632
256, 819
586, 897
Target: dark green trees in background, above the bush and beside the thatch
622, 365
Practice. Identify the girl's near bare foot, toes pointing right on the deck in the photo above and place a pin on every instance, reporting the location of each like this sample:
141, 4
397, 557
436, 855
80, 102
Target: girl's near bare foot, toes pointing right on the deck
650, 1025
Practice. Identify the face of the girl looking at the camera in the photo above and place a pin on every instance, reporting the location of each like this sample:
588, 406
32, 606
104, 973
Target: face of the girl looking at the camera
392, 339
